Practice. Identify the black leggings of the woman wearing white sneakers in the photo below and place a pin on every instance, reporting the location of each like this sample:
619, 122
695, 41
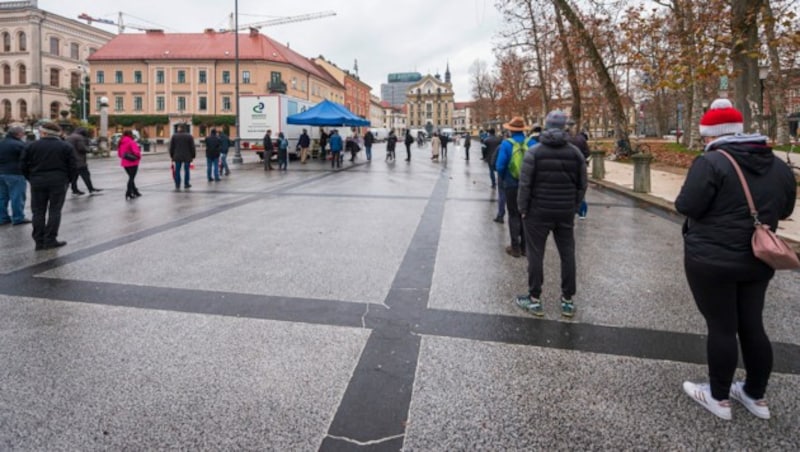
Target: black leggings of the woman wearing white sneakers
732, 303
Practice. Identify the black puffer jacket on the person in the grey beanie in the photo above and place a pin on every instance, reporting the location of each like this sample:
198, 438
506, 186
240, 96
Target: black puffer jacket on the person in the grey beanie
552, 181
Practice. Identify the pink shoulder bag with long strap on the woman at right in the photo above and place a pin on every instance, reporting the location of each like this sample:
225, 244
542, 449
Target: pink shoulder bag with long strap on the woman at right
767, 246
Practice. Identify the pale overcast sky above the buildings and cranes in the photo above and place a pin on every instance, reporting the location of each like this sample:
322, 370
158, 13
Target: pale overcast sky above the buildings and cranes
384, 36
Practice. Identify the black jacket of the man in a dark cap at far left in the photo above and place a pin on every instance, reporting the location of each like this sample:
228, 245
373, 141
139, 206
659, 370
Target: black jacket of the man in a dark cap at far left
49, 161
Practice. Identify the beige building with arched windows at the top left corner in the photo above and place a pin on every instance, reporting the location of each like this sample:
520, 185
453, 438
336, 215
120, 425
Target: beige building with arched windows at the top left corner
43, 56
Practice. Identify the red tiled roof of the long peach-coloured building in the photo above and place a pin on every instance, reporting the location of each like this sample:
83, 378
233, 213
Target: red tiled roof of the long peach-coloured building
203, 46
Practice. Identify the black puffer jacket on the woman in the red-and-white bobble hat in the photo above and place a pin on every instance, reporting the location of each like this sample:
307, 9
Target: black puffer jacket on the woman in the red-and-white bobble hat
719, 227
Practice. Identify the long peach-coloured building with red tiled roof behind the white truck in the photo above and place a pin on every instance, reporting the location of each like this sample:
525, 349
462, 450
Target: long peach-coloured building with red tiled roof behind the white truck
156, 80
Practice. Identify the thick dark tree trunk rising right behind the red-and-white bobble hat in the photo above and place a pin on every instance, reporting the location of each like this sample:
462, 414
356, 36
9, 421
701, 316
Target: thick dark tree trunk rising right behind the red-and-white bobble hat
744, 56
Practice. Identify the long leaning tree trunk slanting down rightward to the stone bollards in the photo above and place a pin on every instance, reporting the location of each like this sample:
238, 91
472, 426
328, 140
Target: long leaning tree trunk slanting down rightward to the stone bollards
607, 84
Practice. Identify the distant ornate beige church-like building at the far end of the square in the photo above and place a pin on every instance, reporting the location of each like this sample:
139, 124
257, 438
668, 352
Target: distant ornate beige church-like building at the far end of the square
430, 103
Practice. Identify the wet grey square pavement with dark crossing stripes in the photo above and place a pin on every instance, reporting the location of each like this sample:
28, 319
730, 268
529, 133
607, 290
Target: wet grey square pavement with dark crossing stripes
367, 308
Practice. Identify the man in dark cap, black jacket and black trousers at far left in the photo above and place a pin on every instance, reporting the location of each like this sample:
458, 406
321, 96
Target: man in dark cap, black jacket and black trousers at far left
49, 165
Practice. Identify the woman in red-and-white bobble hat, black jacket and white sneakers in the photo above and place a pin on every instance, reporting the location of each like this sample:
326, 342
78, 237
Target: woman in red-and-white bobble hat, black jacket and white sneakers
727, 281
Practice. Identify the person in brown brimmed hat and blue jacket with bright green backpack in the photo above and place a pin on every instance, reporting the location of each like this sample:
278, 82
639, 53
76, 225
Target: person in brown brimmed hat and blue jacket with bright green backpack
508, 165
